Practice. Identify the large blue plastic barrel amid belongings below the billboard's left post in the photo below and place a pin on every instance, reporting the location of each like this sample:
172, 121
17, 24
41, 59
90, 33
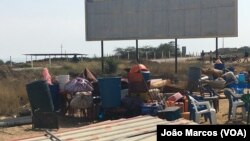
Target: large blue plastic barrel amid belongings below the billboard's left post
110, 91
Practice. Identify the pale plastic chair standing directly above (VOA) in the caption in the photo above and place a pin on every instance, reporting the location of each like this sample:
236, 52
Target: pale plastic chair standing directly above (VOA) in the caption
234, 102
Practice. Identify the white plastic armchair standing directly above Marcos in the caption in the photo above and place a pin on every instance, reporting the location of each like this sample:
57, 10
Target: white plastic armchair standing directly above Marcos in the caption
201, 111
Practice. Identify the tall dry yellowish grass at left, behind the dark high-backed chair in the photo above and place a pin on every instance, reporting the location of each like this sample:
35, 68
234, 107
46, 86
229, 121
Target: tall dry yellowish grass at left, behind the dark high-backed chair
13, 83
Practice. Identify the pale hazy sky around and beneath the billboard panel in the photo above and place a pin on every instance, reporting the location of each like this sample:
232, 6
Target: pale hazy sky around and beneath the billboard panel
55, 26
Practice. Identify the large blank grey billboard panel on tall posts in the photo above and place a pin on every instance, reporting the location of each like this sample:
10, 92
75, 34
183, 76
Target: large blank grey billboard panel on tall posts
160, 19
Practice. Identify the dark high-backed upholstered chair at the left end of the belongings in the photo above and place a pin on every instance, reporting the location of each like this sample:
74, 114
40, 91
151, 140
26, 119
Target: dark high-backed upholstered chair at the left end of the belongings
43, 114
